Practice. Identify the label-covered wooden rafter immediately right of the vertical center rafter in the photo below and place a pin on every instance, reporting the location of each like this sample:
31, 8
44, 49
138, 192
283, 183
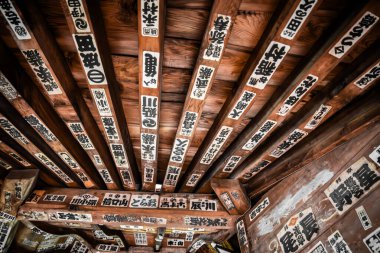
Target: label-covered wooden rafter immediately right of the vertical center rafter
221, 20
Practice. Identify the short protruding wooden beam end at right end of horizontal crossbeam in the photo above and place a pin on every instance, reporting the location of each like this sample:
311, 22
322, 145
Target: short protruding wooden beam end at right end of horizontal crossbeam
232, 195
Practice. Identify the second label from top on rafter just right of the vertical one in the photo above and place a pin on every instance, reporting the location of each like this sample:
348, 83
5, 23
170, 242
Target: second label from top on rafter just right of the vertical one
202, 81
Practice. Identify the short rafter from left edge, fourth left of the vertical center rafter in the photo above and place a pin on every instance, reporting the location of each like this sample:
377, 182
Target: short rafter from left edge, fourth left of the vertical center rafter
45, 155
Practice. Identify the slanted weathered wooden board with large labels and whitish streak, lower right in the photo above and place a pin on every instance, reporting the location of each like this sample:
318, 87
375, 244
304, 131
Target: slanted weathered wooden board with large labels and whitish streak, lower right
313, 192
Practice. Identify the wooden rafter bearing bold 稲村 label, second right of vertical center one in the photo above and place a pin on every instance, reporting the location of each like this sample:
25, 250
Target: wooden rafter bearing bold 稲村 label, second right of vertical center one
272, 49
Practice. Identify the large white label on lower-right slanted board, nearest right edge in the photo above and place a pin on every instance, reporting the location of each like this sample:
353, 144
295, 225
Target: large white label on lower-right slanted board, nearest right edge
353, 184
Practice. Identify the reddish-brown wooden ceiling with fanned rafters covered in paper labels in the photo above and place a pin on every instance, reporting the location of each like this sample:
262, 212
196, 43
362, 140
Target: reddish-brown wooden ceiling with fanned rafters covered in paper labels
126, 94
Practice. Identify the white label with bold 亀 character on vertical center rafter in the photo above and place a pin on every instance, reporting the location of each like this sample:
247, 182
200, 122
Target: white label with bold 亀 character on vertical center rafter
151, 62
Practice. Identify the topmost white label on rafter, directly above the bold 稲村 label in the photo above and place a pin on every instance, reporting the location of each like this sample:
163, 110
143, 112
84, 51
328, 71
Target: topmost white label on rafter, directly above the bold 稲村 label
298, 17
